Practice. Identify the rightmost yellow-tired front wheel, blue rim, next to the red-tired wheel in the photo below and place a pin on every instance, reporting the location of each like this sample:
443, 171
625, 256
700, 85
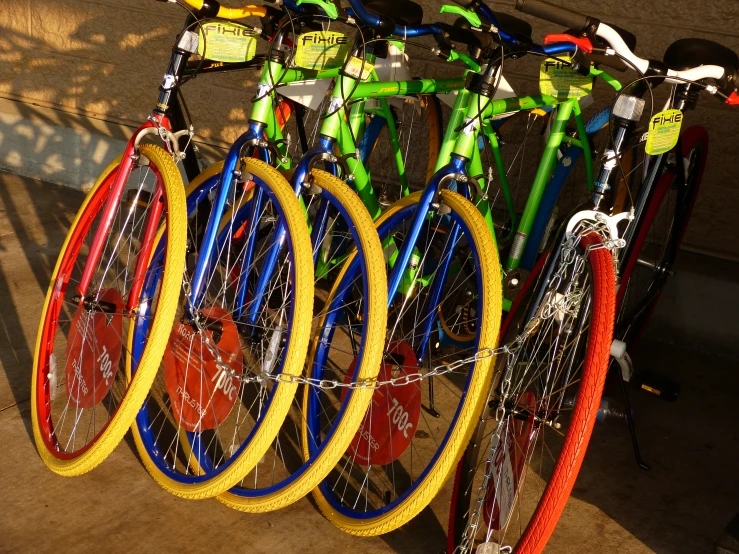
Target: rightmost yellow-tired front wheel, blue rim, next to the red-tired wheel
421, 416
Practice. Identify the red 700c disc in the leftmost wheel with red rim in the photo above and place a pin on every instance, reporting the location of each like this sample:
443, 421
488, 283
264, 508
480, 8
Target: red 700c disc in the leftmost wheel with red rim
94, 349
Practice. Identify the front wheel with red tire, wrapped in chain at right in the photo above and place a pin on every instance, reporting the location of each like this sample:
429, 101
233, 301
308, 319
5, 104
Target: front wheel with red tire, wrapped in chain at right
513, 483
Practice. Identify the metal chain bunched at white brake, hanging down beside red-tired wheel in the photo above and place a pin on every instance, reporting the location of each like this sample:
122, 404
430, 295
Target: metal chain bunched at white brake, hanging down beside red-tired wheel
556, 303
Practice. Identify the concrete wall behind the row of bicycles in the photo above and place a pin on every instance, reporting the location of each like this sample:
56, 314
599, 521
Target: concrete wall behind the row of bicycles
98, 63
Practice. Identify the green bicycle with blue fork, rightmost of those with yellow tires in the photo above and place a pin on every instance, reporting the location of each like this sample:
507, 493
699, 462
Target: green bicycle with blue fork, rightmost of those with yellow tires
378, 486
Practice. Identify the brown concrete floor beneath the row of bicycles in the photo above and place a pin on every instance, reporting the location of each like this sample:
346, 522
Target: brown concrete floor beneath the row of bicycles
681, 505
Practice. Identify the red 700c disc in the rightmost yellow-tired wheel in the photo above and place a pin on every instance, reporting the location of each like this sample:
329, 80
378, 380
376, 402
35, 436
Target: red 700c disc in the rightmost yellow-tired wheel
392, 418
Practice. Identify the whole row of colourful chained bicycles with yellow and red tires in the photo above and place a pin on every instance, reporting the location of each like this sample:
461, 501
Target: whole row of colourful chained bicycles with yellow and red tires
372, 295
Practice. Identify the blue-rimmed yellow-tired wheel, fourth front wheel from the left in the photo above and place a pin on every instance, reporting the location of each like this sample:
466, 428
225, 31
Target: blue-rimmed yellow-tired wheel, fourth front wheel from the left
401, 454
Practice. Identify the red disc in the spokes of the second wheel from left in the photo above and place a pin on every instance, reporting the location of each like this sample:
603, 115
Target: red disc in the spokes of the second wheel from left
202, 394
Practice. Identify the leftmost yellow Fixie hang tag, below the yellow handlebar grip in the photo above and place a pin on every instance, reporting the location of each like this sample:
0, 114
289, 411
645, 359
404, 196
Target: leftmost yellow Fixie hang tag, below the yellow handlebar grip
221, 41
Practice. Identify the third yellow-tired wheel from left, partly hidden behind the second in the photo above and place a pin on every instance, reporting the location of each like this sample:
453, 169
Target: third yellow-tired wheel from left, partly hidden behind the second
350, 311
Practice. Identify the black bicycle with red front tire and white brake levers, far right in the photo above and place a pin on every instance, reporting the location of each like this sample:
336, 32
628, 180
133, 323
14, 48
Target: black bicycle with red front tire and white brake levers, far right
490, 491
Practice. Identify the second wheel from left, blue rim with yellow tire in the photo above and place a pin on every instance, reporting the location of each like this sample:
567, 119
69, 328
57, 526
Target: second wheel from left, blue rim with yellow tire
213, 409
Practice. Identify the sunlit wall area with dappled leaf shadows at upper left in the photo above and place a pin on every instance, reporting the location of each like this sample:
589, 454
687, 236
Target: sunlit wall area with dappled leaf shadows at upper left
85, 73
